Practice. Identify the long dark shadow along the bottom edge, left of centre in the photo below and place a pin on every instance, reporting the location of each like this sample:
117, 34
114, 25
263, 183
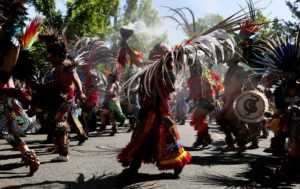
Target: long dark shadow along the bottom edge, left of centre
103, 181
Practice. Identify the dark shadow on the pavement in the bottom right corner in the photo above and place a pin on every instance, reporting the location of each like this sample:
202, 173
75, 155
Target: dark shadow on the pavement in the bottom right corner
261, 172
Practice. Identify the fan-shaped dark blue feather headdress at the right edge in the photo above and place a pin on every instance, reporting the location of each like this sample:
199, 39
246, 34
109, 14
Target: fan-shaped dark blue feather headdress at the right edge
279, 55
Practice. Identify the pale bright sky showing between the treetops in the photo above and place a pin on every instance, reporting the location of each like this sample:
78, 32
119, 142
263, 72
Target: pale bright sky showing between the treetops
225, 8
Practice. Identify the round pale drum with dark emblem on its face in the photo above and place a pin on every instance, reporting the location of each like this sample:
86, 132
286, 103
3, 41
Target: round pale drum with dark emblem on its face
250, 106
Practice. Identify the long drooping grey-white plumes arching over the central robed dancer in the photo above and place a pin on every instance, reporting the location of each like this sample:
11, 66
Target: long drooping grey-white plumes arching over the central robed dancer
160, 75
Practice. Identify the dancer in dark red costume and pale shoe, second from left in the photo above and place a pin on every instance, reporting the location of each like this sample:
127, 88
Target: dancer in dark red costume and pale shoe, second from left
62, 88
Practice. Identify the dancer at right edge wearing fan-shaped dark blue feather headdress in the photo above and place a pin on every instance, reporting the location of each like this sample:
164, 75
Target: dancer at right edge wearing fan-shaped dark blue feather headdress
280, 56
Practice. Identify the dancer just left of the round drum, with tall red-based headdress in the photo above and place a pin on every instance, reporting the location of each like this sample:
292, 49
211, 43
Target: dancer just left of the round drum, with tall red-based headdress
234, 81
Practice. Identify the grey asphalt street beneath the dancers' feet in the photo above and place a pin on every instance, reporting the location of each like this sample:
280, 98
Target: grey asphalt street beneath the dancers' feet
94, 165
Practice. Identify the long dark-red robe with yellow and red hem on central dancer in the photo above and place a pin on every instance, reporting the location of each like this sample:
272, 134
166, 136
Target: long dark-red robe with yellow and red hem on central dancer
155, 137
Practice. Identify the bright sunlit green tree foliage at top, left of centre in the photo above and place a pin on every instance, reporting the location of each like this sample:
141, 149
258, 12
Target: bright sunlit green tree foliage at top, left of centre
90, 17
